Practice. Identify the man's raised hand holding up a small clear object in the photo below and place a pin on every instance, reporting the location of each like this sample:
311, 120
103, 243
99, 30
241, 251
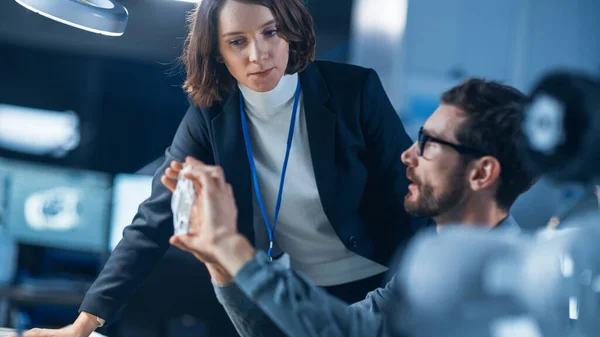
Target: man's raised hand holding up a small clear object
214, 215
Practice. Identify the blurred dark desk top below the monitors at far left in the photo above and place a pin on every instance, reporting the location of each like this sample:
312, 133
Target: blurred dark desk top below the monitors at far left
27, 295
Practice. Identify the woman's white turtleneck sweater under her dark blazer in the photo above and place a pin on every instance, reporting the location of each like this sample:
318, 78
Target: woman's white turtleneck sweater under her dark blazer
303, 230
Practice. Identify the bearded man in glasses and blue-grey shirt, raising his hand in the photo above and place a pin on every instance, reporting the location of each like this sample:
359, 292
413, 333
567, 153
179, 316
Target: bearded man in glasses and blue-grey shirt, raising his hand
464, 169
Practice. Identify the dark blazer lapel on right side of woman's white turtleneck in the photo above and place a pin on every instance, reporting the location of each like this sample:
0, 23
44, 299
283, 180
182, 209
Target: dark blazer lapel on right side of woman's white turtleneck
320, 122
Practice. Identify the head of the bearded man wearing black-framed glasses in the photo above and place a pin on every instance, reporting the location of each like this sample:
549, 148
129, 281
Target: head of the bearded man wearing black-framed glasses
464, 167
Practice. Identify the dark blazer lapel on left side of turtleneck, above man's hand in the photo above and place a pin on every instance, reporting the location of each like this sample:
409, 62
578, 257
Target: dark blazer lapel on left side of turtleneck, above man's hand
230, 153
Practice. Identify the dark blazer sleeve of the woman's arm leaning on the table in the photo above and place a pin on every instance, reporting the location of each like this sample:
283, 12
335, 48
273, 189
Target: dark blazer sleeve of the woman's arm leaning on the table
145, 240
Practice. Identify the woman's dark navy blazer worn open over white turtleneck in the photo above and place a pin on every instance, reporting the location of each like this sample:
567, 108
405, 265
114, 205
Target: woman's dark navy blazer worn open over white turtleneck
356, 139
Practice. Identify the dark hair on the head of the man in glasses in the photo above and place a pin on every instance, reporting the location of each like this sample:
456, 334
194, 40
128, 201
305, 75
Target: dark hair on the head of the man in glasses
494, 116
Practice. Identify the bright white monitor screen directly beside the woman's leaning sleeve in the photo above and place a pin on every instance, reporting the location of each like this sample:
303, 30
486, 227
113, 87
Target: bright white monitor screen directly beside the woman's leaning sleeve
129, 191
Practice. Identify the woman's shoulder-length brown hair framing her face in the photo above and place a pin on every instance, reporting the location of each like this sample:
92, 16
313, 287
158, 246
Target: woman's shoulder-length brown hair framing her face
207, 78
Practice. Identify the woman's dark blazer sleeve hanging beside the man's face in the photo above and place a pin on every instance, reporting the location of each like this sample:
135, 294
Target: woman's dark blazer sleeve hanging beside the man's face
386, 139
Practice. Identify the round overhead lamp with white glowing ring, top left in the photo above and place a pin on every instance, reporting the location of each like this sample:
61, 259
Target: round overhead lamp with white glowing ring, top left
105, 17
